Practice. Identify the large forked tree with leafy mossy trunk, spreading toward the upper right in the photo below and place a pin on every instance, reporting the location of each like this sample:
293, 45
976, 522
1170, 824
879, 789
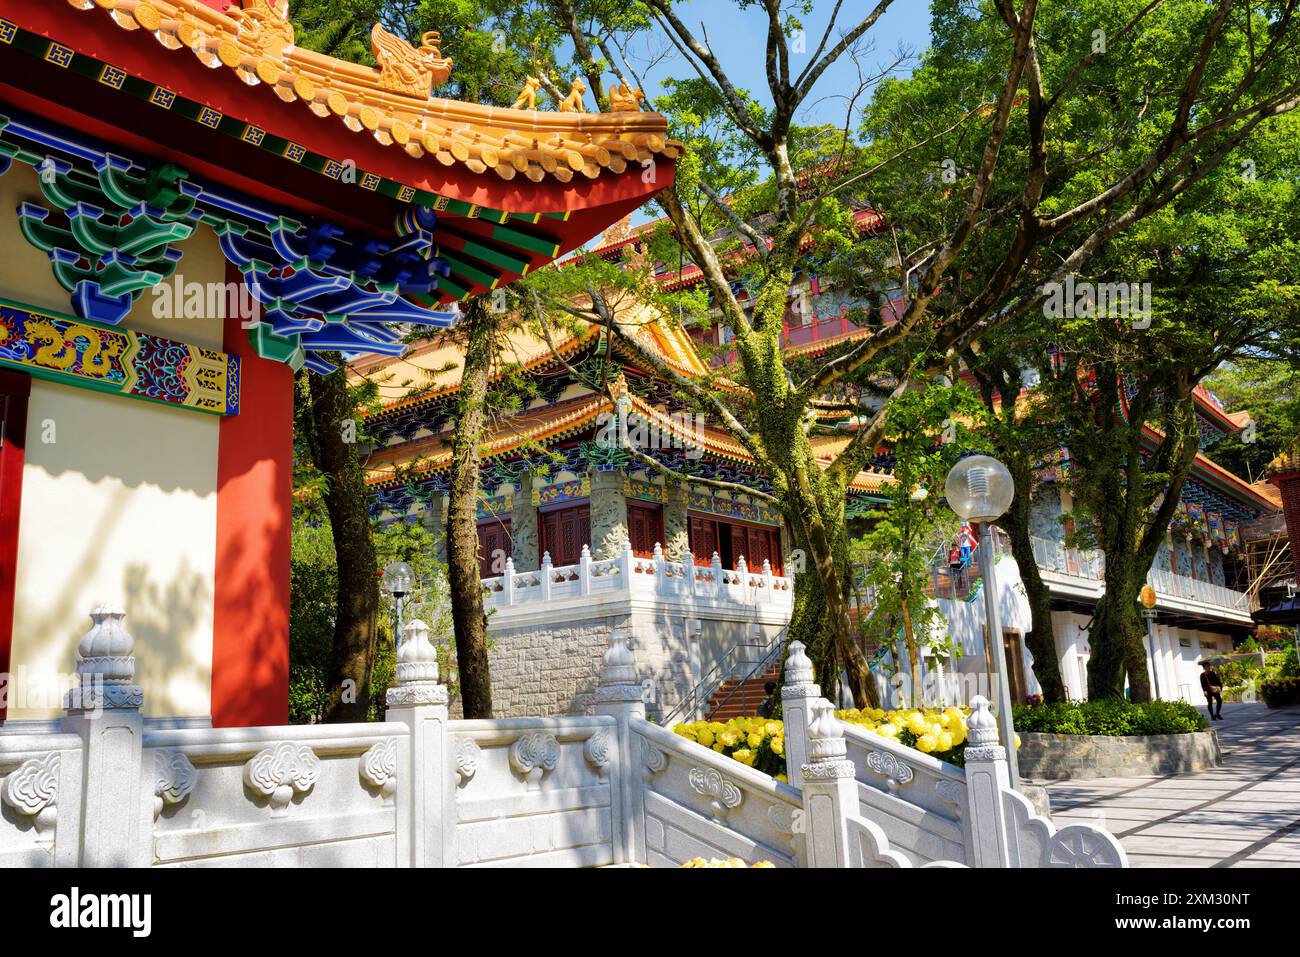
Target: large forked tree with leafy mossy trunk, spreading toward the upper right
1028, 141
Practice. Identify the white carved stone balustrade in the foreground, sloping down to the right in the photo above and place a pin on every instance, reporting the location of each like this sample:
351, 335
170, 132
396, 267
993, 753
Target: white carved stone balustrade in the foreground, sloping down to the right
421, 790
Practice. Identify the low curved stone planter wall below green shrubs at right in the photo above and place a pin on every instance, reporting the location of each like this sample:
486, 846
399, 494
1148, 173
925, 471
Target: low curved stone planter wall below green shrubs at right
1065, 757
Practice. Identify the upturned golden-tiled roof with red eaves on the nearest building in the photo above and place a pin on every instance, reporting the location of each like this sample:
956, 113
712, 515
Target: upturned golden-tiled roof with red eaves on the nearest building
220, 90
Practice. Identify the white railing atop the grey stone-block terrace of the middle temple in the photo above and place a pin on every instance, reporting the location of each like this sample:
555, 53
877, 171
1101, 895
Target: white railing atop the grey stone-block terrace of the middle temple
632, 577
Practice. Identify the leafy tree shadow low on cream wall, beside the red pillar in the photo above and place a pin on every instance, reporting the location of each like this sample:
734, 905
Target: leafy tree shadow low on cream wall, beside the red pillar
171, 655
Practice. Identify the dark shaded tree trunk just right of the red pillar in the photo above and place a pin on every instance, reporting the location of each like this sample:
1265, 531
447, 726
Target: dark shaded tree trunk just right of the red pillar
348, 696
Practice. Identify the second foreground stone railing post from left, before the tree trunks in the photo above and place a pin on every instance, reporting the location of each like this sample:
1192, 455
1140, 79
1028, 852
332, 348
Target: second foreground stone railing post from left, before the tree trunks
427, 799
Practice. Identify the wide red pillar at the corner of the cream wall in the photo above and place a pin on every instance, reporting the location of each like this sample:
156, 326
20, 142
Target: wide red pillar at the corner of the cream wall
250, 631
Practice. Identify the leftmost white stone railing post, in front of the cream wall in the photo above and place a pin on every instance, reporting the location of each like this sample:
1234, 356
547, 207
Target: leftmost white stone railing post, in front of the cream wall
105, 712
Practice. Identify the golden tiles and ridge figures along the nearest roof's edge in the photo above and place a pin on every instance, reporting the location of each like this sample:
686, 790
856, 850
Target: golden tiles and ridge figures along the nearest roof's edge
393, 102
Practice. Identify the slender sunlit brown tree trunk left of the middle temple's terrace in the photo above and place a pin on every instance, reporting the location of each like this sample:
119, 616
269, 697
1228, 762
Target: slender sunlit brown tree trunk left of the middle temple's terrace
466, 587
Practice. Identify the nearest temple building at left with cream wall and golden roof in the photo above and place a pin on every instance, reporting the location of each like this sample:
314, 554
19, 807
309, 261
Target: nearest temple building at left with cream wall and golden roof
193, 210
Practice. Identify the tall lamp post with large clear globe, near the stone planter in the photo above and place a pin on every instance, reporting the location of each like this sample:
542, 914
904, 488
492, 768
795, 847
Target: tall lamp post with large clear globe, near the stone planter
981, 491
